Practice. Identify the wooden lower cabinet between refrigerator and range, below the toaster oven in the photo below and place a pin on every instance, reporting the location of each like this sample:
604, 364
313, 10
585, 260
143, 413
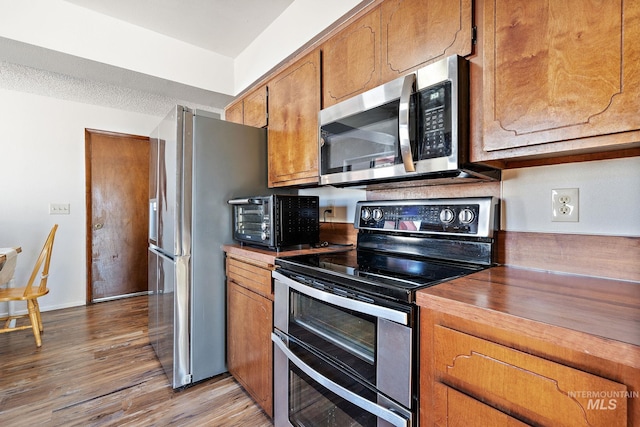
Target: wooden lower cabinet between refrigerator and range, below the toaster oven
249, 326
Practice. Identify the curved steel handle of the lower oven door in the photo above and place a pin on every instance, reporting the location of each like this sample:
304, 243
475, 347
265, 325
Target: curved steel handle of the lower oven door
398, 416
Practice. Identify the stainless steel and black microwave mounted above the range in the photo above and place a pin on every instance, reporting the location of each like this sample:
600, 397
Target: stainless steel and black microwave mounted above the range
416, 126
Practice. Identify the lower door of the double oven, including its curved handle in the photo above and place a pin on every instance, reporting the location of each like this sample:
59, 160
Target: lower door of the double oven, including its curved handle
319, 393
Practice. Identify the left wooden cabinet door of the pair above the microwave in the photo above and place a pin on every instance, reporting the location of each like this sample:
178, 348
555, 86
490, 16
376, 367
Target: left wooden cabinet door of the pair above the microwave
351, 60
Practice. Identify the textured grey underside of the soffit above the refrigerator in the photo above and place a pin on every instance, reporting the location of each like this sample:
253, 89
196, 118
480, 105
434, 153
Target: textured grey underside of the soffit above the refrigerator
33, 69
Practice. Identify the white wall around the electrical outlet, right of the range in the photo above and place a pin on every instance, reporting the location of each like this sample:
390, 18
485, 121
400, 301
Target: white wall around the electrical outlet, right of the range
609, 197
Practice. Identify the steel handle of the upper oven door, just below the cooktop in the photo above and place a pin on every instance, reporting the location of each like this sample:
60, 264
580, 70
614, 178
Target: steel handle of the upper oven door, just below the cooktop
352, 304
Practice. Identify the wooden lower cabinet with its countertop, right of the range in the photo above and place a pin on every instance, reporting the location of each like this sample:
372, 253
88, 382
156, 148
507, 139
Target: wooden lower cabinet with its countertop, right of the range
512, 347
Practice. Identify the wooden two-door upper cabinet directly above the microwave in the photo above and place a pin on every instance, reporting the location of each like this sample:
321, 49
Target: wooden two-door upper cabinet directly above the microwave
391, 40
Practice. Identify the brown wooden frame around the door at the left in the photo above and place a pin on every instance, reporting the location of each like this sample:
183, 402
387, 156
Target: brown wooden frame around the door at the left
88, 201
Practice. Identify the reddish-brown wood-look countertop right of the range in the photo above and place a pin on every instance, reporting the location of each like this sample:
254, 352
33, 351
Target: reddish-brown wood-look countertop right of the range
504, 296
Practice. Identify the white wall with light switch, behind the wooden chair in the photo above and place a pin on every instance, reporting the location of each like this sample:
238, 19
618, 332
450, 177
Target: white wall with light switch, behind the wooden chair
42, 158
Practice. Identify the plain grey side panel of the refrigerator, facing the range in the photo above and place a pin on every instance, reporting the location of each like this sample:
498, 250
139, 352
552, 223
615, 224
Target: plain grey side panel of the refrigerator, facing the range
230, 161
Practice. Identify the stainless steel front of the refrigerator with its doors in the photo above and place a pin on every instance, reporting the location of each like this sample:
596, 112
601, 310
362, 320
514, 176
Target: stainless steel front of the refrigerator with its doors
169, 244
